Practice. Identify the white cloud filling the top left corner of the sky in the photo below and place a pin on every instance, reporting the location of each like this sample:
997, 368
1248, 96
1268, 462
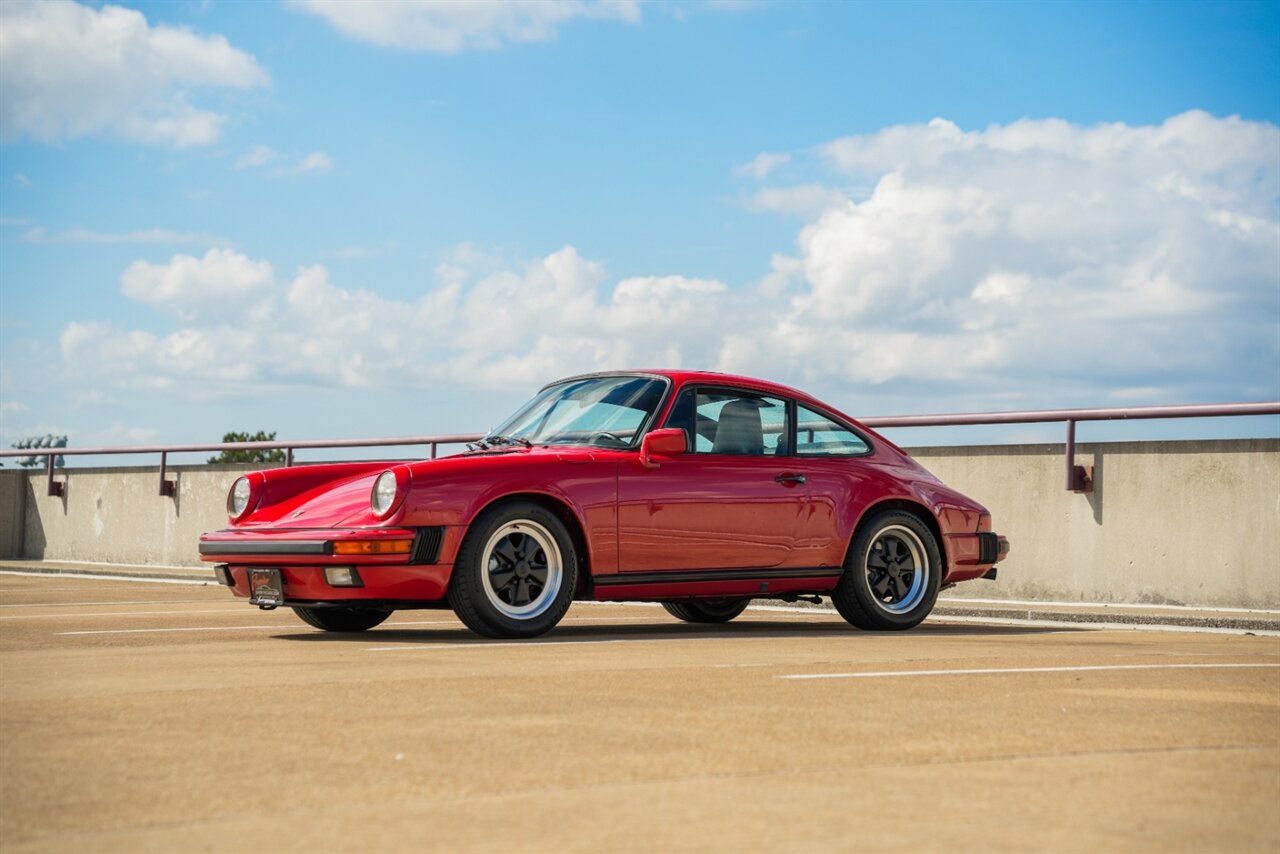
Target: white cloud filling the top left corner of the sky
72, 71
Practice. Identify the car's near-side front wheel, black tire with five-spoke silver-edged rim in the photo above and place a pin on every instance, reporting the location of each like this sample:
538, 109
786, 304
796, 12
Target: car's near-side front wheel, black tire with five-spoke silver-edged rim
515, 574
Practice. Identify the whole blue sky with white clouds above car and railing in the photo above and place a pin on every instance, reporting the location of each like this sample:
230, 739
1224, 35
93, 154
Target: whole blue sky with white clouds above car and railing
383, 220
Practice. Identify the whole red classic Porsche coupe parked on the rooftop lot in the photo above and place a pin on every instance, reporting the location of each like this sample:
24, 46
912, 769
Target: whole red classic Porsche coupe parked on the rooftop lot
694, 490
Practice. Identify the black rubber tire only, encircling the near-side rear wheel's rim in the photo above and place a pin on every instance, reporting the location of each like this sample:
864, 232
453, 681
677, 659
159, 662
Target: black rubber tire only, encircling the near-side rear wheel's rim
867, 610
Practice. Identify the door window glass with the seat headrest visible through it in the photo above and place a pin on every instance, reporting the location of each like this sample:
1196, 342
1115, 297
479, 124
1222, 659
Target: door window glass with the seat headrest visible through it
728, 422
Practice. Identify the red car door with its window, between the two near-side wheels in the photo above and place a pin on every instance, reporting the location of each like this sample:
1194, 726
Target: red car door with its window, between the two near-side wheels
732, 503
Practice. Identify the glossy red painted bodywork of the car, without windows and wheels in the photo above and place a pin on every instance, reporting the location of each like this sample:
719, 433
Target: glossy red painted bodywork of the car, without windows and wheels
687, 514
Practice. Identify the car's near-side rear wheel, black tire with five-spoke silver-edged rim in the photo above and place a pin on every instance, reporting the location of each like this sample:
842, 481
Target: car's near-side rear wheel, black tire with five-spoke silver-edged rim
892, 576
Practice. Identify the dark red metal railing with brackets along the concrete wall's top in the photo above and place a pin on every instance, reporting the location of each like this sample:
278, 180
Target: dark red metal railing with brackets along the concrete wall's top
1078, 478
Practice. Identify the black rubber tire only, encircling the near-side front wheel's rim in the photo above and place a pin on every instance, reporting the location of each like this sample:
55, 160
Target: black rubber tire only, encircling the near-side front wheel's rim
468, 584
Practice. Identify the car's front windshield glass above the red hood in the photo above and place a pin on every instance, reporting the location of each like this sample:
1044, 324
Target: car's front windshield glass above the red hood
605, 412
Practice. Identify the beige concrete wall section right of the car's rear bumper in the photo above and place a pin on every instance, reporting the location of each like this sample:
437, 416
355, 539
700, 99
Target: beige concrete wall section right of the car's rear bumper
1168, 523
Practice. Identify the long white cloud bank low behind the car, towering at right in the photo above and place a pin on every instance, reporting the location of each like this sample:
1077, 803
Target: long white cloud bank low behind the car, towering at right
1023, 266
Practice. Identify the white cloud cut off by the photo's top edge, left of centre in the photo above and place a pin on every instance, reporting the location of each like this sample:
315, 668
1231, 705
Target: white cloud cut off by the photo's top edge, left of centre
452, 28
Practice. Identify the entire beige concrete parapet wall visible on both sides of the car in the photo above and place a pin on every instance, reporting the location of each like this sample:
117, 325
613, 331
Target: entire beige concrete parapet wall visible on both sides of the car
1169, 523
